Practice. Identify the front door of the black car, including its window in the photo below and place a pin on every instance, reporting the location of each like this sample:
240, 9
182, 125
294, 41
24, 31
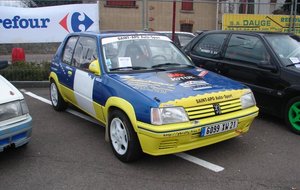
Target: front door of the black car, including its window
247, 59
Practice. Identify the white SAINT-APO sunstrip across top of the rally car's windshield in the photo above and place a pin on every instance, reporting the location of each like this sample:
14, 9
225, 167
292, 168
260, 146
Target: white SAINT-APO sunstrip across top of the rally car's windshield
134, 37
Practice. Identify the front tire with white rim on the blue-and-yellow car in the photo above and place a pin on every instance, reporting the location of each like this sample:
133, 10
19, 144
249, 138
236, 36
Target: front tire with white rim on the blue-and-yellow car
123, 138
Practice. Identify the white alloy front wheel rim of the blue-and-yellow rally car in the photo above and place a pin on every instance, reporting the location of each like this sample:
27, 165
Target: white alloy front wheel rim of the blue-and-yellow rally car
119, 136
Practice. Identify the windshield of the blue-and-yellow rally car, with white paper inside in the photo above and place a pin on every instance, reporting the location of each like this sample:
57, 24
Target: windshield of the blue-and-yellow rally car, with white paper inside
142, 52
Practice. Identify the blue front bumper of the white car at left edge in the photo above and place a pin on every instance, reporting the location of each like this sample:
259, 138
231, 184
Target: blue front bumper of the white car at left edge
15, 134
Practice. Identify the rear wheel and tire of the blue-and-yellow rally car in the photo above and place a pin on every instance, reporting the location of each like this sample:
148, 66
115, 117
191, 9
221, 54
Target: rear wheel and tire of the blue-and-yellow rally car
57, 101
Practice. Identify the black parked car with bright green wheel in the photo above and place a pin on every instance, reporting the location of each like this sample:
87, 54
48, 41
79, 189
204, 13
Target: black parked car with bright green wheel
269, 63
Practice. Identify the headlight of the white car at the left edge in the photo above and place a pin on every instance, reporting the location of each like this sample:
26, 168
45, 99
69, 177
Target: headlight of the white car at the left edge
13, 109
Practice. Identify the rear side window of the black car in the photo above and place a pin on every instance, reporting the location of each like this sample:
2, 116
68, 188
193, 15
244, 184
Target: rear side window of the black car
210, 45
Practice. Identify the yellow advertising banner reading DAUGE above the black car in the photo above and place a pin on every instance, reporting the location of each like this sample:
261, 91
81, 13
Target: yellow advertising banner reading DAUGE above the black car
271, 23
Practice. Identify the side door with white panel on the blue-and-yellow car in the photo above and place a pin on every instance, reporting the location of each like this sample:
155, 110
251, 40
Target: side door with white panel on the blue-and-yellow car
85, 52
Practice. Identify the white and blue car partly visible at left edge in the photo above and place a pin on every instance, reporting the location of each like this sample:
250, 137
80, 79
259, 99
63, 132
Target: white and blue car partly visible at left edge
15, 121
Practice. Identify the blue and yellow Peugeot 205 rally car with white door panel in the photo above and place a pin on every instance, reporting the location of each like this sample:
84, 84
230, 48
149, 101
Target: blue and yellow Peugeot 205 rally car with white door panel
147, 93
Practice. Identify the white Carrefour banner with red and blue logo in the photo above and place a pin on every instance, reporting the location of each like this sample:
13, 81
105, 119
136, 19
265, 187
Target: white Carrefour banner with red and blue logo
47, 24
